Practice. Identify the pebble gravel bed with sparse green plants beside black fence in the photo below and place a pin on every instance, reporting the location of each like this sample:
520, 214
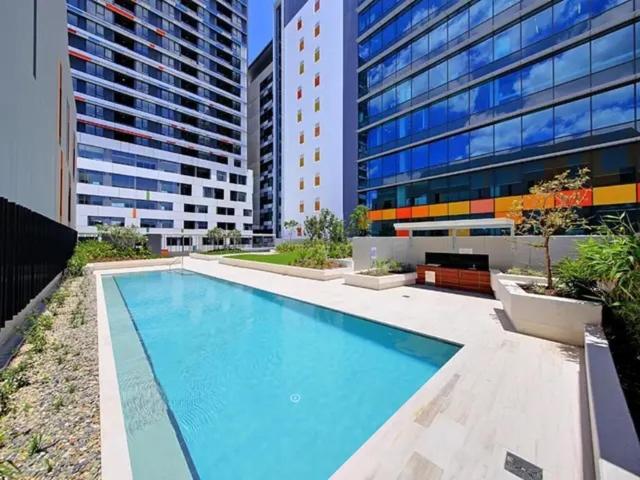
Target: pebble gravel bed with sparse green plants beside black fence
50, 422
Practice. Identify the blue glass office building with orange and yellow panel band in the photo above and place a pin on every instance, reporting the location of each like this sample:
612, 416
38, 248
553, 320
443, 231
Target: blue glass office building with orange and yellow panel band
465, 105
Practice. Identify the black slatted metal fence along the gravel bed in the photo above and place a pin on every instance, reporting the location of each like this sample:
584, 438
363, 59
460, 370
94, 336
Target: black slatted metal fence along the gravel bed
33, 250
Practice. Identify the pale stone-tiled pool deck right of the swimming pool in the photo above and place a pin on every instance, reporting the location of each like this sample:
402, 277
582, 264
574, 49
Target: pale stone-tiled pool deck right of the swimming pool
503, 392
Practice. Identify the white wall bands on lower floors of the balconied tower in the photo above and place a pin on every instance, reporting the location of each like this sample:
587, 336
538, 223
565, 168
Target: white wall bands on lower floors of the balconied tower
178, 215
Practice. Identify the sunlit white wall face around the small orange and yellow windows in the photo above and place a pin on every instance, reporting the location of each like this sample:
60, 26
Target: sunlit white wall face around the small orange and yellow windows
330, 141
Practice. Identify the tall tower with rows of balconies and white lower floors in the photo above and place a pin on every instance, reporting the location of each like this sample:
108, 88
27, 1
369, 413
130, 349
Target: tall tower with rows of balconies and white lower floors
161, 99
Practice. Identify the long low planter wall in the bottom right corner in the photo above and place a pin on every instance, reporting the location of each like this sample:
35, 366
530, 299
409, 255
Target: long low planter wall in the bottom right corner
616, 450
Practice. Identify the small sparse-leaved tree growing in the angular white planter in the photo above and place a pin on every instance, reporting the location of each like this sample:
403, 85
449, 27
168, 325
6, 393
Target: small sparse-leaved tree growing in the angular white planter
551, 209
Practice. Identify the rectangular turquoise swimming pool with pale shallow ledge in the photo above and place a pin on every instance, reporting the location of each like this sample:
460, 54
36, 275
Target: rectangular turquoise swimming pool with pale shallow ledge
219, 380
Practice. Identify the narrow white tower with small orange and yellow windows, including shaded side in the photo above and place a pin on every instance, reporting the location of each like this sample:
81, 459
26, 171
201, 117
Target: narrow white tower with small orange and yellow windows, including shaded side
315, 106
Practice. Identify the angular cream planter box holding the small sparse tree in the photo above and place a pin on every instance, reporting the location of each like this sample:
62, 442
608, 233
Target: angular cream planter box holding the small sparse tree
554, 318
